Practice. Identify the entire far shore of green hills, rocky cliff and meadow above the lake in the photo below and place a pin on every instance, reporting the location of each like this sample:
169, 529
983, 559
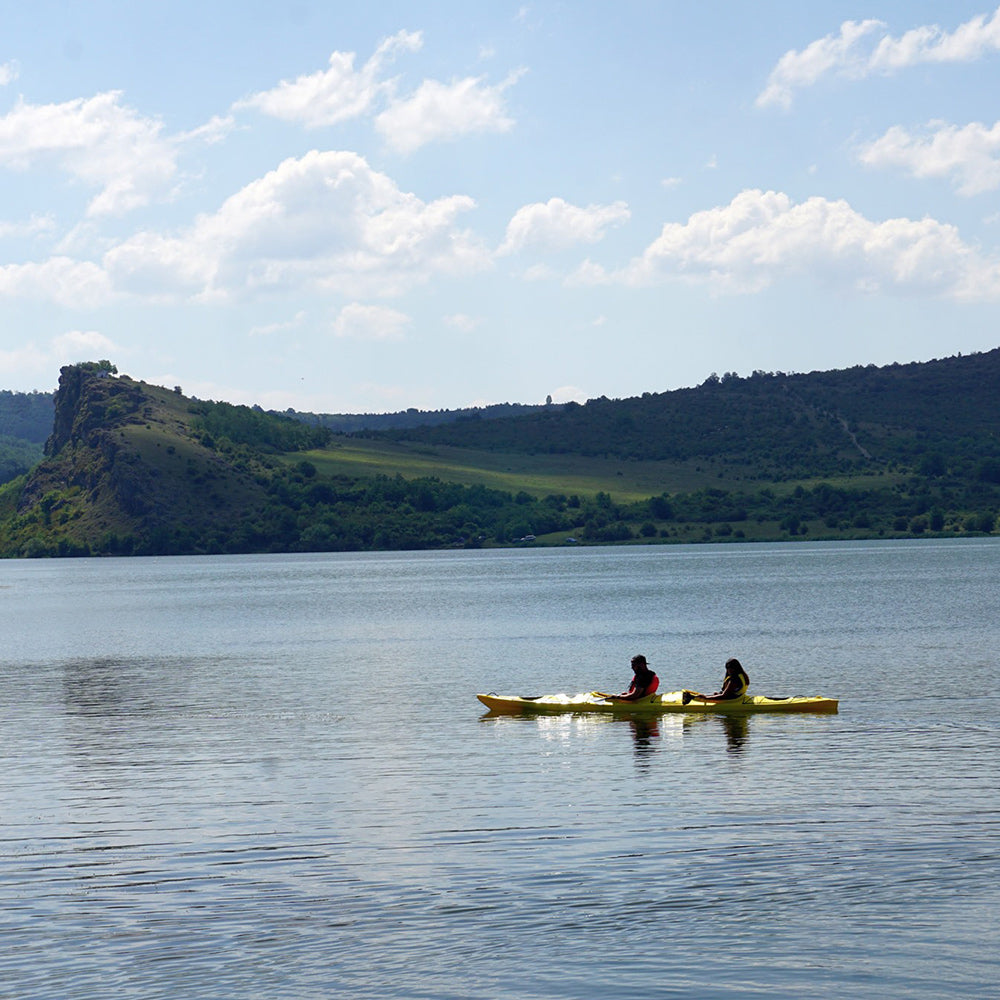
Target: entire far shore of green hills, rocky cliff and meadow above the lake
864, 453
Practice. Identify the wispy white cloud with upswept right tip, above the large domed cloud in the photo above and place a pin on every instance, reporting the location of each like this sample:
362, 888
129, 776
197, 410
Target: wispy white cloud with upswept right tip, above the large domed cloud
336, 94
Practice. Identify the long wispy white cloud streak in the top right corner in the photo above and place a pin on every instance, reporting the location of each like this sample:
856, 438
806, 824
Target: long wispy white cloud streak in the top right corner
862, 48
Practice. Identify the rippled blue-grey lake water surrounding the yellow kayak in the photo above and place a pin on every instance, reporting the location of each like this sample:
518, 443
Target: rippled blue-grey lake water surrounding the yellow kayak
269, 777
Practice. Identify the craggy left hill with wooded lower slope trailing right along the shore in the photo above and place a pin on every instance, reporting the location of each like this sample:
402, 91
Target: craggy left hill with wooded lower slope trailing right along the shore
131, 468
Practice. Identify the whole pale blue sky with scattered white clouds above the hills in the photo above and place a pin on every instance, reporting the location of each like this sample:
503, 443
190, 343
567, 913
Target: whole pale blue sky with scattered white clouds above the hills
349, 208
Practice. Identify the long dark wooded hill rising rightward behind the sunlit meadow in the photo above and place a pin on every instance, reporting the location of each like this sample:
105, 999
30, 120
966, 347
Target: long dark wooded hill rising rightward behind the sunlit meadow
773, 426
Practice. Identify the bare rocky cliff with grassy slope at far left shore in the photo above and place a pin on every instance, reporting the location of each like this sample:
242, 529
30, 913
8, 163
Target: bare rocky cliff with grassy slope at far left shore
126, 470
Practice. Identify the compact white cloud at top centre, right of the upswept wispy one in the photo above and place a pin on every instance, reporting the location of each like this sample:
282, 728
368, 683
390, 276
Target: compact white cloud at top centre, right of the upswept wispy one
445, 111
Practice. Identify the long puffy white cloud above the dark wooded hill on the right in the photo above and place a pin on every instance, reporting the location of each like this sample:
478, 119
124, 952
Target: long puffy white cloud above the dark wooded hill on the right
763, 237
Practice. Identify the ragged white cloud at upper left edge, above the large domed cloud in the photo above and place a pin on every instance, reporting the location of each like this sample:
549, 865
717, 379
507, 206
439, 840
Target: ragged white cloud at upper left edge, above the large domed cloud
99, 141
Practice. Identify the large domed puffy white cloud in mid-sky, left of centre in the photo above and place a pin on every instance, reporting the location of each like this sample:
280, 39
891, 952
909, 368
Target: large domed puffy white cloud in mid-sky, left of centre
324, 222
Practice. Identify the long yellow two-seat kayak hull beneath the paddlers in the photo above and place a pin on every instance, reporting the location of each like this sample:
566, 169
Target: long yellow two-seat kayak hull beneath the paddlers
671, 701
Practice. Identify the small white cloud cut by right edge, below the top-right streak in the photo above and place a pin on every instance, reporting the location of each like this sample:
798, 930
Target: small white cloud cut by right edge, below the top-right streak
969, 154
